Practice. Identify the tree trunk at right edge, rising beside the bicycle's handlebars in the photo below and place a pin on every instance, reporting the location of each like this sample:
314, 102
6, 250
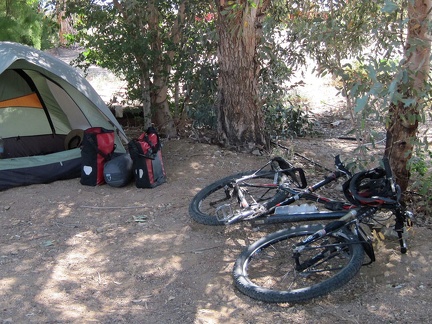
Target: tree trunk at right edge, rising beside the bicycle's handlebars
403, 120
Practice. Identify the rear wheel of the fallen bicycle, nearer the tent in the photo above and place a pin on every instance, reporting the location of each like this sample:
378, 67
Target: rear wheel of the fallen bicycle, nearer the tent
203, 206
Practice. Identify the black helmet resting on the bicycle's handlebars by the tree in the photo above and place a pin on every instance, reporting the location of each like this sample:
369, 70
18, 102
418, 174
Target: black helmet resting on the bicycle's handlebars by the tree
371, 188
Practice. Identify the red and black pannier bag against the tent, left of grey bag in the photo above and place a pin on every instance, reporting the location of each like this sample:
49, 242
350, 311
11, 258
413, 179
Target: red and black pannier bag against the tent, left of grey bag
96, 149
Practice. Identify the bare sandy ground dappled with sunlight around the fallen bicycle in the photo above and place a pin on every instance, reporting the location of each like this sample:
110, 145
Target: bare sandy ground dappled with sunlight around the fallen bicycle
76, 254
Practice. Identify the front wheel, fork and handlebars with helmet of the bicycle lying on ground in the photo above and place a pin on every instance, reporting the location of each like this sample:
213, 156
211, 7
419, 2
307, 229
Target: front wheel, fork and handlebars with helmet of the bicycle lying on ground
309, 261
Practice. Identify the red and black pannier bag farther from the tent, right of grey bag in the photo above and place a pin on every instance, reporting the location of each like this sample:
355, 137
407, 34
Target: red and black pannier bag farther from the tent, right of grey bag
146, 155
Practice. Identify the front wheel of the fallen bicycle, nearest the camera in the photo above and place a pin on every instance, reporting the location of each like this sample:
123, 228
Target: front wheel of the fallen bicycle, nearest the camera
267, 270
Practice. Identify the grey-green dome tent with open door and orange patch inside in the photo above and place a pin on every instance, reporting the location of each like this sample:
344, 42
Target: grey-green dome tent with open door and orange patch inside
42, 101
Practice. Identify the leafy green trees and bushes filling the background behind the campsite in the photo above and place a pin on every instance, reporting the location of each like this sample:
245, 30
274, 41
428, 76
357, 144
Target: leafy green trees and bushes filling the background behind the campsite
172, 55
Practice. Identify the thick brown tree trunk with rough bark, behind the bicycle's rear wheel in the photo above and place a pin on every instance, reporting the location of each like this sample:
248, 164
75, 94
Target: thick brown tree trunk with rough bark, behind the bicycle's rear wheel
240, 116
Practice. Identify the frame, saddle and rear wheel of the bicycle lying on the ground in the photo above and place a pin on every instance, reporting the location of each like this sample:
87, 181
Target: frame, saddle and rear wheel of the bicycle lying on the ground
267, 196
